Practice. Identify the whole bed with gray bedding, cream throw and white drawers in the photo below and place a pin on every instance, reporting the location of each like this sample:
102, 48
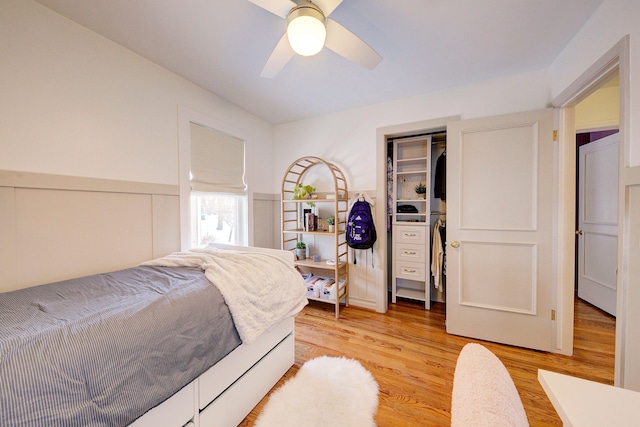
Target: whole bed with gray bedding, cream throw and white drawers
104, 349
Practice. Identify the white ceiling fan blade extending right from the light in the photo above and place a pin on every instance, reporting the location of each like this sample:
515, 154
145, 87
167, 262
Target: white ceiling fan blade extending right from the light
348, 45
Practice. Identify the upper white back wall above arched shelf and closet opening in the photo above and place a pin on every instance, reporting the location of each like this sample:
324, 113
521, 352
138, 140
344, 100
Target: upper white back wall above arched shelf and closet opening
348, 138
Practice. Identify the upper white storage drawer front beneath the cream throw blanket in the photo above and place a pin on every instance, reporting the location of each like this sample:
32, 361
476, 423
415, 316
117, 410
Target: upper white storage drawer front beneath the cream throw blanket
220, 376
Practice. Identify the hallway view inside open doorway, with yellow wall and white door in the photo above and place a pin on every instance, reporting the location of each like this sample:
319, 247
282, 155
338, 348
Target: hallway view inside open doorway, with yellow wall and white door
597, 120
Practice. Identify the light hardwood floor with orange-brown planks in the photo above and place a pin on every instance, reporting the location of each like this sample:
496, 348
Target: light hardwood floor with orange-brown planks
413, 359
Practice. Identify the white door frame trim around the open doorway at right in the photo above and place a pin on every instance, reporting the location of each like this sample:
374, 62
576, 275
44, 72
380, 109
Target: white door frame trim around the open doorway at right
615, 62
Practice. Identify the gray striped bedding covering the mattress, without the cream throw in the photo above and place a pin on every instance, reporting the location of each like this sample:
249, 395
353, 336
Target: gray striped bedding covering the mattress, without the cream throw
102, 350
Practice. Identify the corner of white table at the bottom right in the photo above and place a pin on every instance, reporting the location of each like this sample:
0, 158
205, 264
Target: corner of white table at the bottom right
584, 403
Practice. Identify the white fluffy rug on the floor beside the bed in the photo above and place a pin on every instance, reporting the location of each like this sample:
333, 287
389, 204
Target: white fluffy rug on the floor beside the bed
326, 391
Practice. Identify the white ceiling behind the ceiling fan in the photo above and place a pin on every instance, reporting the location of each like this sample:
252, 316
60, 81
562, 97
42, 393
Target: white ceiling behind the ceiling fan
426, 45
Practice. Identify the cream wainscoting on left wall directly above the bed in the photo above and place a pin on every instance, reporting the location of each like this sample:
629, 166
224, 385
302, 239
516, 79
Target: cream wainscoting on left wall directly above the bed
56, 227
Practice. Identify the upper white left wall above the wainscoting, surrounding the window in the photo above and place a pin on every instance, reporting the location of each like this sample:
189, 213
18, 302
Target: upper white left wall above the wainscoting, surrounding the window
75, 103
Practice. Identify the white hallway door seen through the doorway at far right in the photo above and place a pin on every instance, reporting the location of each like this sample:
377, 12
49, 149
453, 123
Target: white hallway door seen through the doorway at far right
598, 222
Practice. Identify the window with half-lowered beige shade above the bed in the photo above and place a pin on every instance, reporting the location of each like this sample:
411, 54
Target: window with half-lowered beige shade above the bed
218, 199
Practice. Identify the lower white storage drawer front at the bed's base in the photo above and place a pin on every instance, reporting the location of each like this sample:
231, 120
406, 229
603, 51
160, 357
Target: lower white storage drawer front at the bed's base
230, 408
